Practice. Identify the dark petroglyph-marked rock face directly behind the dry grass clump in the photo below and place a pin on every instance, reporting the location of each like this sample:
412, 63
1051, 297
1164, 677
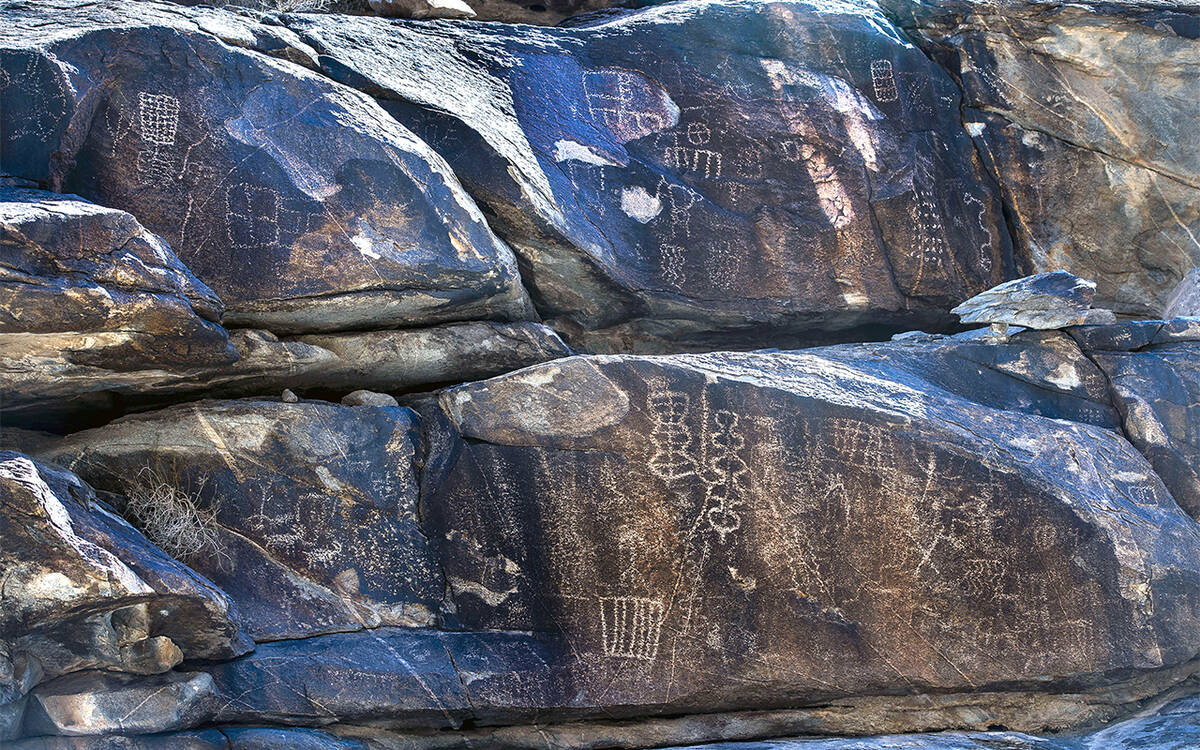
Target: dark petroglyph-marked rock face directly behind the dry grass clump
315, 506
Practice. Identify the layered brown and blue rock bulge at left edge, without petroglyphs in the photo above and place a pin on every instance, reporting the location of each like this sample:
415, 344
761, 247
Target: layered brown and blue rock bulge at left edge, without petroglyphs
92, 299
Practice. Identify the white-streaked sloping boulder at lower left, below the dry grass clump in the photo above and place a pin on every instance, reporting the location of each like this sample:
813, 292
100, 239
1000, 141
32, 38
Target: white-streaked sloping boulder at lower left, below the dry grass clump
83, 590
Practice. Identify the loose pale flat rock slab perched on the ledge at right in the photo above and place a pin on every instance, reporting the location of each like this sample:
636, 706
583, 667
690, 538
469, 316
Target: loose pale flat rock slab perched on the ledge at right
1052, 301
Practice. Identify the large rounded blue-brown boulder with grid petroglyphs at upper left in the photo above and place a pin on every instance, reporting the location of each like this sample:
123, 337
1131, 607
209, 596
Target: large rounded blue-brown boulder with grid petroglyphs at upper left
301, 202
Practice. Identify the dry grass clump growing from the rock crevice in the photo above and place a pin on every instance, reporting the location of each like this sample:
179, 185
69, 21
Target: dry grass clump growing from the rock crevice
171, 517
